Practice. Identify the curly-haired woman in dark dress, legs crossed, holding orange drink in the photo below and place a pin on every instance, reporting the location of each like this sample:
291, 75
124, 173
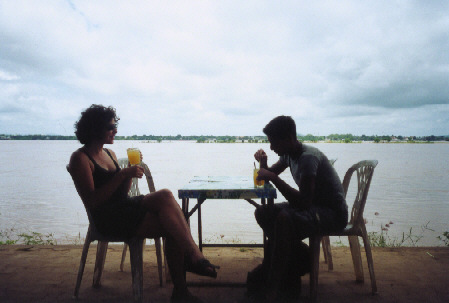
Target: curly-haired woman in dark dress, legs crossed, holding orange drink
103, 188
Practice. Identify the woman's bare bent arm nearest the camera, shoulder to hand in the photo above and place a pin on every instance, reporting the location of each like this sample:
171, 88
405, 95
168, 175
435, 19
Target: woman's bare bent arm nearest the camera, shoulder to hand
81, 170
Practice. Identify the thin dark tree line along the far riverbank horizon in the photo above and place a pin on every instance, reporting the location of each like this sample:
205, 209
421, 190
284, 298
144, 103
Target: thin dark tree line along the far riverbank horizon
231, 139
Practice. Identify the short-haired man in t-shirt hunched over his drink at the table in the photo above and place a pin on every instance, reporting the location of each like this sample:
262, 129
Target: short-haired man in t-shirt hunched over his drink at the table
318, 204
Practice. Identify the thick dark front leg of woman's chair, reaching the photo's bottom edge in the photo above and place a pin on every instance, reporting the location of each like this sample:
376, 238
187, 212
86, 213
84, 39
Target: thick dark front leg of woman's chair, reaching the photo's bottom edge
135, 252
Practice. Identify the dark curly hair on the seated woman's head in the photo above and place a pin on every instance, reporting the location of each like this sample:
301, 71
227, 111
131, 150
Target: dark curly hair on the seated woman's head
94, 122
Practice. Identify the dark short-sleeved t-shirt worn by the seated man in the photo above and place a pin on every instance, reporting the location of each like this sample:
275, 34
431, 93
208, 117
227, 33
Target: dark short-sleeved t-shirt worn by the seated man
328, 189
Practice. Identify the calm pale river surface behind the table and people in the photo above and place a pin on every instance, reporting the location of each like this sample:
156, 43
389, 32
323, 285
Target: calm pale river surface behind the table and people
410, 186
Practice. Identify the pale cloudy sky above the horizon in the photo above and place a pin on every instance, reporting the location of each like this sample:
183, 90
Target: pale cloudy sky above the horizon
226, 67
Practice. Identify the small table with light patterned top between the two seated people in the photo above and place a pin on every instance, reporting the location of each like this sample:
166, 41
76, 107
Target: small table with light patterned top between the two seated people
223, 187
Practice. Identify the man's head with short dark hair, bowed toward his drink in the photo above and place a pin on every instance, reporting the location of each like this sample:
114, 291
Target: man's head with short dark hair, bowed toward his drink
281, 132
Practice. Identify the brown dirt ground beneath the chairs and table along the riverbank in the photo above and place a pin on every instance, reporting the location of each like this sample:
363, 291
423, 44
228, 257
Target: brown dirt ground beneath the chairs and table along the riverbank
48, 274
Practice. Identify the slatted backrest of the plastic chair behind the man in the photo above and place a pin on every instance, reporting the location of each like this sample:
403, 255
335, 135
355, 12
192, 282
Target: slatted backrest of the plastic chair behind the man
365, 170
